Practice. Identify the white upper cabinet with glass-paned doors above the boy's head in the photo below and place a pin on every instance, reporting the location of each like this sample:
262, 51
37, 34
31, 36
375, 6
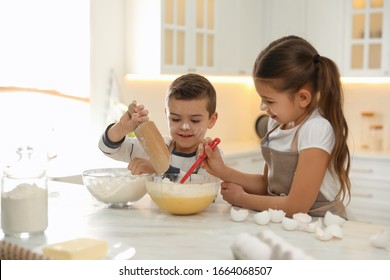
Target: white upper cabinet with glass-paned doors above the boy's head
169, 36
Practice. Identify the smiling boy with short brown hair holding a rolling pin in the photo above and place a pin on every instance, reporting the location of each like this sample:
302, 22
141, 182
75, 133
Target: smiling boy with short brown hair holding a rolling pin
191, 111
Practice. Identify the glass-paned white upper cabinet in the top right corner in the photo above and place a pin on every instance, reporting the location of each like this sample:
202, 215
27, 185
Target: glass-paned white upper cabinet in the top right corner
367, 50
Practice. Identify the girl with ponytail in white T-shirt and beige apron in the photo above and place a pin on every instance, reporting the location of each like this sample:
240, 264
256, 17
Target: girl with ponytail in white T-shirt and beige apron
305, 149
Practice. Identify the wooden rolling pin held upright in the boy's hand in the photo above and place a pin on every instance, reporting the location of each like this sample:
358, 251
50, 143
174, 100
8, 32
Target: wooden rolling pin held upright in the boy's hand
153, 143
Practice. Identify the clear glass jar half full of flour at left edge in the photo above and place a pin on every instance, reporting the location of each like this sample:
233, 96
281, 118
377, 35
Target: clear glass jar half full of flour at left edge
24, 196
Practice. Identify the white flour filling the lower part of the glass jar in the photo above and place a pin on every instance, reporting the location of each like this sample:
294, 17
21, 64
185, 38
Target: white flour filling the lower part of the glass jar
24, 209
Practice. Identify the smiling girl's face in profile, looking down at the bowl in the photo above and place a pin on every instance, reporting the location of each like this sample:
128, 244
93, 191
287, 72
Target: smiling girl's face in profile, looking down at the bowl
281, 106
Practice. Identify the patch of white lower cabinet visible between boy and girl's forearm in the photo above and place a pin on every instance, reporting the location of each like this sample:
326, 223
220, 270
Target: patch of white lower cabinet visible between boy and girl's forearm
252, 163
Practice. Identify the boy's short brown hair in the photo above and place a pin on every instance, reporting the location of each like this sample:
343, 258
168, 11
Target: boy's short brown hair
193, 87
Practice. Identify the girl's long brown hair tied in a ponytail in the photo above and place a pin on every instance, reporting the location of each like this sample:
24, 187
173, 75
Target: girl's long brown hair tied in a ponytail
290, 63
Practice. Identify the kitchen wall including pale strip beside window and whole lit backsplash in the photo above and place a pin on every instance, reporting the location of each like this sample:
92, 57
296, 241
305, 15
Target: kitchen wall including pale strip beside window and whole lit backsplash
237, 105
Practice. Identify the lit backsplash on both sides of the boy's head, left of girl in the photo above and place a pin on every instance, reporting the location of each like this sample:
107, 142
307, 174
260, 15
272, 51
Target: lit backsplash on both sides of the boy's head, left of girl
237, 107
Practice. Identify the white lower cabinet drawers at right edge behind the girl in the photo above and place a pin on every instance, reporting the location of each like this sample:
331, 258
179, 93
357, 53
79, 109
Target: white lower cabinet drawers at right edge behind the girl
370, 201
